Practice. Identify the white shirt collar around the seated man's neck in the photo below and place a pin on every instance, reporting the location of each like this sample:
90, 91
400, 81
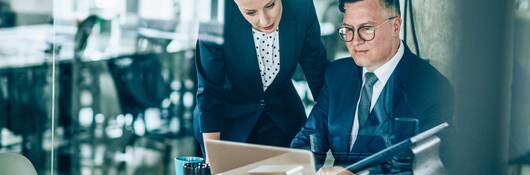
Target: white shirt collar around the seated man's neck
383, 73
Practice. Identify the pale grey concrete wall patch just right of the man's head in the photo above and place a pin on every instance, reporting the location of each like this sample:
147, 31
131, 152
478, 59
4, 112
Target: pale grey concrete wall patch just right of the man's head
436, 22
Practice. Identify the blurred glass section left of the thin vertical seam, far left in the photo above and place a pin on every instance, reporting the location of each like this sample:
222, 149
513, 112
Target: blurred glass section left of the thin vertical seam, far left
26, 53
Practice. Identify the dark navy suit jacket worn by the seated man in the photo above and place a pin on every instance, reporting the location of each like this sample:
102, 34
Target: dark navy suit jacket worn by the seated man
415, 90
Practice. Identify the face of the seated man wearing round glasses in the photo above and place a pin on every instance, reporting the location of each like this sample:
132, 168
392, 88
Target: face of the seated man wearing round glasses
372, 54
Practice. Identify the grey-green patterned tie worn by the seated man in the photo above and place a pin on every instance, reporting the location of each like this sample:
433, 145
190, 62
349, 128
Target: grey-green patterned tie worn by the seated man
366, 97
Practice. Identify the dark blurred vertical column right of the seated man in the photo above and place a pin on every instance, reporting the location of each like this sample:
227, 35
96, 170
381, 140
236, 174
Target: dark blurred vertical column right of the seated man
484, 76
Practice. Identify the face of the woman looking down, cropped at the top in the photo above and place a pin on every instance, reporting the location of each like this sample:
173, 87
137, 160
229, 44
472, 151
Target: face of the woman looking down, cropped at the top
263, 15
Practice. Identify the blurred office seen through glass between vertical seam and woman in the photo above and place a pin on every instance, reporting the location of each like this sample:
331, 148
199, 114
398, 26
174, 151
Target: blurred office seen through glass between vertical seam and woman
125, 85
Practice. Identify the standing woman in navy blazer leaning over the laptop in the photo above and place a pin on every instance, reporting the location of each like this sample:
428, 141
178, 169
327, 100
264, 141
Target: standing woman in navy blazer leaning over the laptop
245, 92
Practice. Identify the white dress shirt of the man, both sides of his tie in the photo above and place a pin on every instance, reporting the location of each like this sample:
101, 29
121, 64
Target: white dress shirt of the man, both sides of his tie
383, 74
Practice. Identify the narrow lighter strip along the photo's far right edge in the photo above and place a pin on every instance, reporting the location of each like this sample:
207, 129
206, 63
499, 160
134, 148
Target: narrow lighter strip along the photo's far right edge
519, 152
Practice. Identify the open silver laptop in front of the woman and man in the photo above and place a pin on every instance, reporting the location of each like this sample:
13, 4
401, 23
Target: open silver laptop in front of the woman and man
234, 158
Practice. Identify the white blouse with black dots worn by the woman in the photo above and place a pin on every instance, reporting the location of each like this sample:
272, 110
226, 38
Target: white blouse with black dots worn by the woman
268, 52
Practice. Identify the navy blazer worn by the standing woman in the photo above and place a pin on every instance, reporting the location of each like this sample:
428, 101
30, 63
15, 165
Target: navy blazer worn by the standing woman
230, 96
